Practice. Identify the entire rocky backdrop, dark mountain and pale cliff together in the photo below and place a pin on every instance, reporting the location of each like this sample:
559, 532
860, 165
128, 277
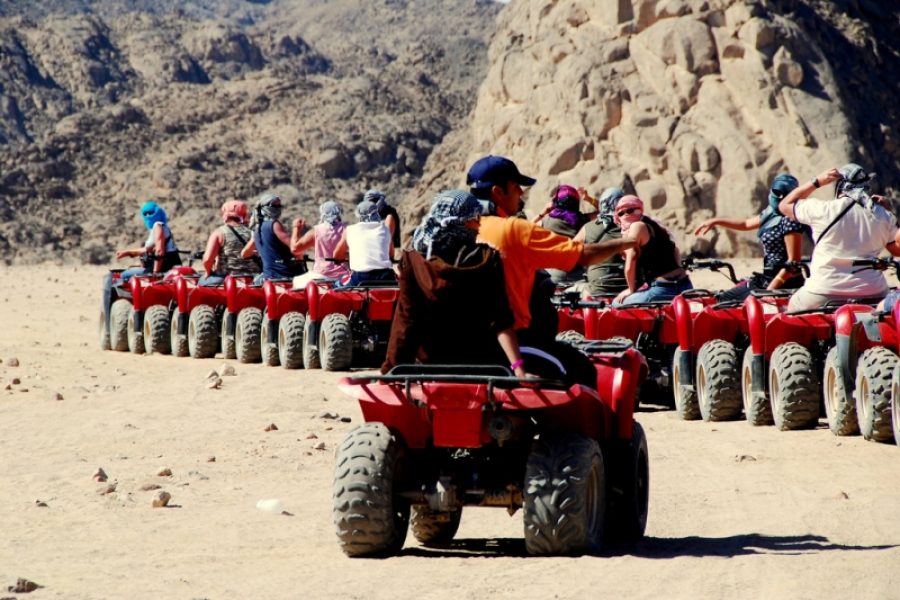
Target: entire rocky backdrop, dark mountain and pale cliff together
694, 105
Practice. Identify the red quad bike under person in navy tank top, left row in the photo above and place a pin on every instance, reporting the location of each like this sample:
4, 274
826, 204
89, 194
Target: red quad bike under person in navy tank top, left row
243, 326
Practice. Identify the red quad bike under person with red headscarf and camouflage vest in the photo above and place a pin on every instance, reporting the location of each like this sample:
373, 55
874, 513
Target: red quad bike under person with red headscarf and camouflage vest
198, 318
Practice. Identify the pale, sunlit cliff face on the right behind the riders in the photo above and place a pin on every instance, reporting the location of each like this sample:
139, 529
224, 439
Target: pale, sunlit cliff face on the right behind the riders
694, 106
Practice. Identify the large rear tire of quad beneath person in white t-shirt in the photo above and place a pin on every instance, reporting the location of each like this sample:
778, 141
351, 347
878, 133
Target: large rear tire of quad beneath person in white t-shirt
793, 387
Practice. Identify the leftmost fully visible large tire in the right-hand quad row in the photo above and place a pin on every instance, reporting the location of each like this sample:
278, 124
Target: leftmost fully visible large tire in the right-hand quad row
718, 381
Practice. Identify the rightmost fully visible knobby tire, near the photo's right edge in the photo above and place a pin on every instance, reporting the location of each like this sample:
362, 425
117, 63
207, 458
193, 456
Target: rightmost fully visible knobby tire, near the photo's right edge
873, 393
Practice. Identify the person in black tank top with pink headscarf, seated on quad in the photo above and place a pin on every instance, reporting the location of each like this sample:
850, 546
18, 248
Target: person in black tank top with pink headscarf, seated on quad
655, 261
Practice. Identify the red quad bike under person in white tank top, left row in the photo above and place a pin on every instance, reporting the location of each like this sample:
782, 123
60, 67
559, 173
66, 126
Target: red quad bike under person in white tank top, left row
350, 325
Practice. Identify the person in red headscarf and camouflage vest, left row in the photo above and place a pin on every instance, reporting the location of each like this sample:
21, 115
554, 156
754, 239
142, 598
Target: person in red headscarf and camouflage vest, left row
223, 248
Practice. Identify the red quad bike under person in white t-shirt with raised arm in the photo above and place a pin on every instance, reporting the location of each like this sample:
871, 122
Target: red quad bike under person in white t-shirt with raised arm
783, 365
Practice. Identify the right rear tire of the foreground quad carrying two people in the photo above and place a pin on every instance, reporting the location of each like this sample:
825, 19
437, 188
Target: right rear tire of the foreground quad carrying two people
564, 496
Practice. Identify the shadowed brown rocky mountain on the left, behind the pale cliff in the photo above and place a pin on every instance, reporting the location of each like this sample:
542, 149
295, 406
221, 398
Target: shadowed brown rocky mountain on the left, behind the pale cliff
106, 103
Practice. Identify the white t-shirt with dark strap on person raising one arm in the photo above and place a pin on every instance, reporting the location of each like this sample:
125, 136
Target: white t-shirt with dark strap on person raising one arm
860, 233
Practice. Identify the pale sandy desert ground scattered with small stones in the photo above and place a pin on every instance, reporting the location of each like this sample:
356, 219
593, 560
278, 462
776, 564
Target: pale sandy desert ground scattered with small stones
736, 511
